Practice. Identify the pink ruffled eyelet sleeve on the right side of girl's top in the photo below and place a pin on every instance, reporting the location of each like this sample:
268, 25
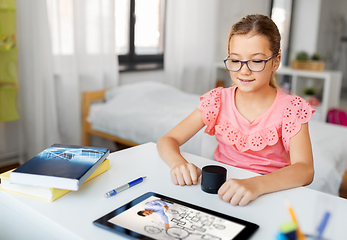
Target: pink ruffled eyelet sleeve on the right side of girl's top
297, 112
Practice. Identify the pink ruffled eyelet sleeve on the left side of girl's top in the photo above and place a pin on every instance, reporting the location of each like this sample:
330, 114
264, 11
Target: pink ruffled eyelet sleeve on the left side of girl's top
210, 106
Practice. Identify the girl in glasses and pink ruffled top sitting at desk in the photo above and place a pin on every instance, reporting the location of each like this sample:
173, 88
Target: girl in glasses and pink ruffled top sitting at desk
258, 127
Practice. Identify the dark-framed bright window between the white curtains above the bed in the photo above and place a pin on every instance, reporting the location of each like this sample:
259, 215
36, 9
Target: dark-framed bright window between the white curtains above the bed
140, 34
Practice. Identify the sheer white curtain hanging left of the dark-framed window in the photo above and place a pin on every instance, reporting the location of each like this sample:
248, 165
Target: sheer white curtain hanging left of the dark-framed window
65, 47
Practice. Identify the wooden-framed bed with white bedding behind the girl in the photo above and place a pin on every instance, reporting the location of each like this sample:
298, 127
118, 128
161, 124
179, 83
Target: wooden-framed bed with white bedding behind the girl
137, 113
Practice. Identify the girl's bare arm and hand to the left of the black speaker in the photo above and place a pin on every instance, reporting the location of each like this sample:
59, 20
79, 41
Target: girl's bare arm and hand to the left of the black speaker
182, 172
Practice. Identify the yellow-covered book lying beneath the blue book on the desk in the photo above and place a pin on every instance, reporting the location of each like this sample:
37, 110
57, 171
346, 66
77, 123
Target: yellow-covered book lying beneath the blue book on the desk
44, 193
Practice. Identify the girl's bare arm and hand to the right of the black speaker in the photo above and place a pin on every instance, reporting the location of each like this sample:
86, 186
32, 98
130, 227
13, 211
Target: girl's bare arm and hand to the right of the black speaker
299, 173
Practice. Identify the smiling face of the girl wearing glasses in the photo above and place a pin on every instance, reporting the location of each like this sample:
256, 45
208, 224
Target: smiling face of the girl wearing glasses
249, 46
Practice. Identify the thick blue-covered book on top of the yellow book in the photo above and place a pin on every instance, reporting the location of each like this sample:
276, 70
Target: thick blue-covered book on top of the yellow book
60, 166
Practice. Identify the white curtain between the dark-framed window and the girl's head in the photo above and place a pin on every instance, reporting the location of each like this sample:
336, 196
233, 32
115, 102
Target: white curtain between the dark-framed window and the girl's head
190, 43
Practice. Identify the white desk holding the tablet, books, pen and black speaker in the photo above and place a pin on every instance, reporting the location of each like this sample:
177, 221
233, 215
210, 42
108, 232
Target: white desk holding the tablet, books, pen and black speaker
71, 216
